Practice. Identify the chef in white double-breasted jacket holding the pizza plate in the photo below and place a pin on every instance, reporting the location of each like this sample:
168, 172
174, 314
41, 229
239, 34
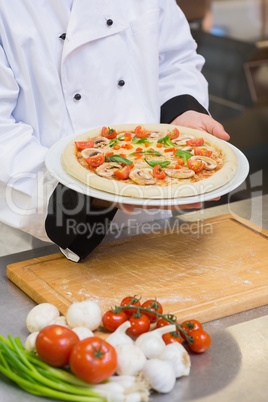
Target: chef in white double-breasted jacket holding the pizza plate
68, 66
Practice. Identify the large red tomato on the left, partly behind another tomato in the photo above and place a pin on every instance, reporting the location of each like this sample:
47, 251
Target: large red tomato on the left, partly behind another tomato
54, 344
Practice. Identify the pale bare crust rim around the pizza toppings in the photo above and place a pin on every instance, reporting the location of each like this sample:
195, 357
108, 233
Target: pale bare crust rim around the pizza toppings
185, 189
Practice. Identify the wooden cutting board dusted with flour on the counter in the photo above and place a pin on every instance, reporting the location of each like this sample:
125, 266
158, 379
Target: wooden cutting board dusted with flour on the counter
204, 270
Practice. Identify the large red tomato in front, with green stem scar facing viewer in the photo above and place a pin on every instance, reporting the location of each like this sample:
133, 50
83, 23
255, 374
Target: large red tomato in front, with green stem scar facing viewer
93, 360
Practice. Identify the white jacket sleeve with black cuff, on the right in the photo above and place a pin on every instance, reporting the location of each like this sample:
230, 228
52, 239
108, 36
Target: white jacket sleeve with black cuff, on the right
182, 86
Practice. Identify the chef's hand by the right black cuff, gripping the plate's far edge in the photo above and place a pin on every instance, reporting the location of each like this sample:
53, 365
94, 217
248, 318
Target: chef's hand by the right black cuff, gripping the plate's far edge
203, 122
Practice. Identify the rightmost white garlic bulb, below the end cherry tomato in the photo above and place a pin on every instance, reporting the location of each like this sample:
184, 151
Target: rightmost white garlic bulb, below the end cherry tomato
178, 357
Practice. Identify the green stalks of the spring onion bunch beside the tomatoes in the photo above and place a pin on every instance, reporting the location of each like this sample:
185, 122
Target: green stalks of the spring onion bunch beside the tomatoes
36, 377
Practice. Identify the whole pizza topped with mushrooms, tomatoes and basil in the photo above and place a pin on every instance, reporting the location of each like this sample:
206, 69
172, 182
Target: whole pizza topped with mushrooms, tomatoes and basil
150, 161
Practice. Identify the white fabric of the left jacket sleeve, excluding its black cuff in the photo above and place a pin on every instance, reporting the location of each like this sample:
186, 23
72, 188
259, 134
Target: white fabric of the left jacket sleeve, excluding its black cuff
25, 184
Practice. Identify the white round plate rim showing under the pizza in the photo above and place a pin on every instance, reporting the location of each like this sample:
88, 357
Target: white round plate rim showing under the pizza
53, 164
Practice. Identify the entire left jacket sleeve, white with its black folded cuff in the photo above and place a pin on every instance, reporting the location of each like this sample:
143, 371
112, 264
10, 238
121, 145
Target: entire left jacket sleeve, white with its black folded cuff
26, 186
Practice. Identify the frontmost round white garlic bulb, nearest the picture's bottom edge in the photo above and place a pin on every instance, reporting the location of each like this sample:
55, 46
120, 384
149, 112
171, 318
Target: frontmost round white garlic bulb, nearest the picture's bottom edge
160, 375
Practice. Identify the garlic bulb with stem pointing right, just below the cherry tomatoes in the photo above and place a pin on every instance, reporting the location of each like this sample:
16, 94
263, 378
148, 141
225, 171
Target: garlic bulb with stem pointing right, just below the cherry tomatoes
151, 343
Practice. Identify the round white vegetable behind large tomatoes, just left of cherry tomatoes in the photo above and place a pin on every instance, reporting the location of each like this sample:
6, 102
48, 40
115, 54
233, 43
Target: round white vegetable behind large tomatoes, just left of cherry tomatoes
84, 314
